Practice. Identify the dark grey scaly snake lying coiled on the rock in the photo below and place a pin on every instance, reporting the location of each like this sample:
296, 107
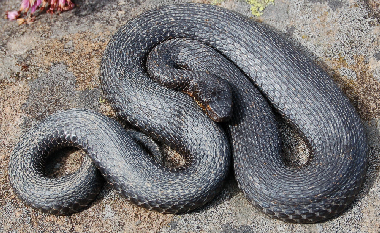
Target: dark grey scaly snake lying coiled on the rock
285, 80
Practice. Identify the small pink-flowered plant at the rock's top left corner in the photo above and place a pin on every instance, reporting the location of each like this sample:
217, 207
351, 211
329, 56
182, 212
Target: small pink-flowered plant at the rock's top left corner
51, 6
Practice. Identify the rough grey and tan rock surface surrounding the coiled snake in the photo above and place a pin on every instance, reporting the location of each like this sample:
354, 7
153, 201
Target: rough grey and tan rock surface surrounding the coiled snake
53, 64
